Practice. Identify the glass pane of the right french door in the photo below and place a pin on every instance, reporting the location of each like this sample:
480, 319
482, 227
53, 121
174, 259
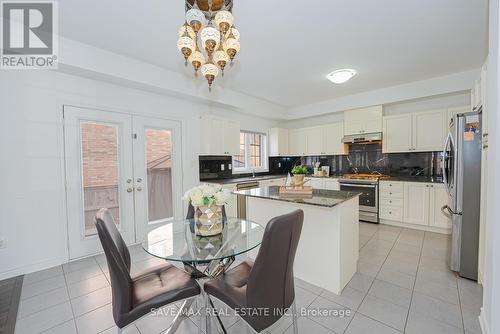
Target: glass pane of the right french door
159, 173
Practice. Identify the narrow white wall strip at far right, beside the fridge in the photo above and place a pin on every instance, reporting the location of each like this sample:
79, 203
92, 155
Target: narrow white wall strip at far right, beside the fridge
489, 318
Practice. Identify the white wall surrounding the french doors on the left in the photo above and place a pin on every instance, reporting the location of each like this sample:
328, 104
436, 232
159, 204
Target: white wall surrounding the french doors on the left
32, 200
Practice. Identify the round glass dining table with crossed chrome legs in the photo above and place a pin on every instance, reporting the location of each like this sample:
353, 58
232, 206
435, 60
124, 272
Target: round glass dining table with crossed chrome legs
203, 257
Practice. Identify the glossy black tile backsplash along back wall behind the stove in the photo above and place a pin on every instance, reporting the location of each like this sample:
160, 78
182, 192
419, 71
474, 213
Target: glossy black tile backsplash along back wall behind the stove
366, 159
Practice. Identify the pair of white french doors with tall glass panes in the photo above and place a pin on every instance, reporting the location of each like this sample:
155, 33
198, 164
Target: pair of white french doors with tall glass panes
128, 164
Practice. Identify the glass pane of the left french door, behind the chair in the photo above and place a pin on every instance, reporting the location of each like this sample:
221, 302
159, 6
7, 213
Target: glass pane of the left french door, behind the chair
100, 171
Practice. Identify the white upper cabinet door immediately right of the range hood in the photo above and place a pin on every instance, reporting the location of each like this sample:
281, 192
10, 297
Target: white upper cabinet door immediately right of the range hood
397, 134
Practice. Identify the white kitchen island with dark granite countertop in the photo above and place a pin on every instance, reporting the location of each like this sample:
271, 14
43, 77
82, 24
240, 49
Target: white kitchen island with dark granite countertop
328, 249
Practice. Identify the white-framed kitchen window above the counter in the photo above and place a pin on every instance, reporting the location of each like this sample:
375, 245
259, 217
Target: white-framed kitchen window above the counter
253, 153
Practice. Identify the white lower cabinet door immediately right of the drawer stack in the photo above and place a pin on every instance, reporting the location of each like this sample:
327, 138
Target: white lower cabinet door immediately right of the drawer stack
416, 203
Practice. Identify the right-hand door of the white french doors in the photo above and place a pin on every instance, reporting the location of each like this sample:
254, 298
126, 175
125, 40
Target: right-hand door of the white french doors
157, 170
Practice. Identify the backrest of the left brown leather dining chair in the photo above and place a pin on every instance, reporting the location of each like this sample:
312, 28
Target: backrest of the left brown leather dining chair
118, 258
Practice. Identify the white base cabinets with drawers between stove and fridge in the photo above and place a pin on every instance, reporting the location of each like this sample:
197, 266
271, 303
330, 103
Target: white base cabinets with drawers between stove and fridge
416, 204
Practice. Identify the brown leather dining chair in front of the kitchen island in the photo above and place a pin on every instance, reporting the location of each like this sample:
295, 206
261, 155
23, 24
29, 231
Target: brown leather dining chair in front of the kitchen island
267, 283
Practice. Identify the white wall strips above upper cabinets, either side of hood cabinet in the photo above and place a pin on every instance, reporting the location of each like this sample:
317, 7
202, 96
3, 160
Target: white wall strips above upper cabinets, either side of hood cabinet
458, 99
